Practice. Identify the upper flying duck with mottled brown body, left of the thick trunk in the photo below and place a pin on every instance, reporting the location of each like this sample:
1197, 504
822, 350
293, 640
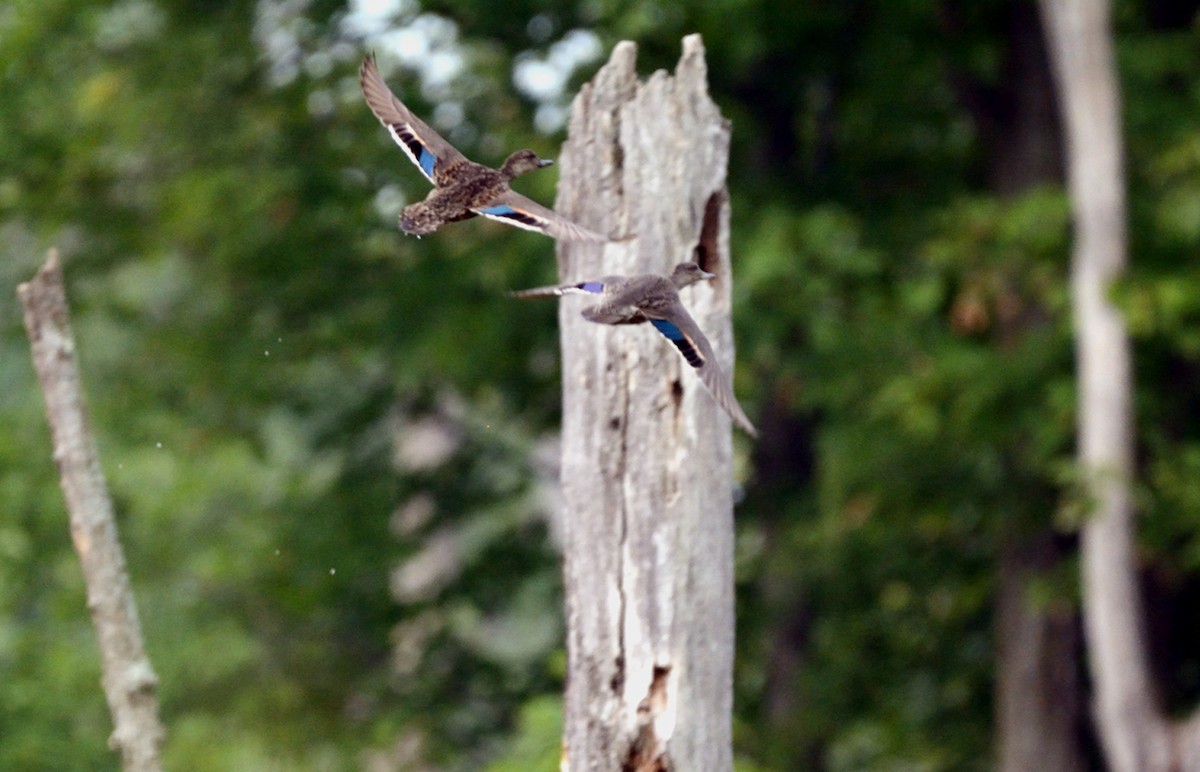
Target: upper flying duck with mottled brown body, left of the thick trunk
463, 189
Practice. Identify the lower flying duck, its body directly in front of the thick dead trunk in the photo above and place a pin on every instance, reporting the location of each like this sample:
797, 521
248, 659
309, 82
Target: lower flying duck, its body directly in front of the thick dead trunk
656, 300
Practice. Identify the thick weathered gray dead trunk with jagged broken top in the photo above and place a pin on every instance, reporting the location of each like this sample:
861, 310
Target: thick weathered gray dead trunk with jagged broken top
647, 456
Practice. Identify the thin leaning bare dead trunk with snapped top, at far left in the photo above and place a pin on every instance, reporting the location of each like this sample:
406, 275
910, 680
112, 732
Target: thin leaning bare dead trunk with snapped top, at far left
129, 680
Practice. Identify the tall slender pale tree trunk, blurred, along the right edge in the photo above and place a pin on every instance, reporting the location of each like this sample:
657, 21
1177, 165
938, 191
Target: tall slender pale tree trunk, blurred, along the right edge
1135, 731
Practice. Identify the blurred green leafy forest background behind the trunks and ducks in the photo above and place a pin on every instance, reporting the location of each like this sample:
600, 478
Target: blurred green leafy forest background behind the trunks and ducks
333, 448
